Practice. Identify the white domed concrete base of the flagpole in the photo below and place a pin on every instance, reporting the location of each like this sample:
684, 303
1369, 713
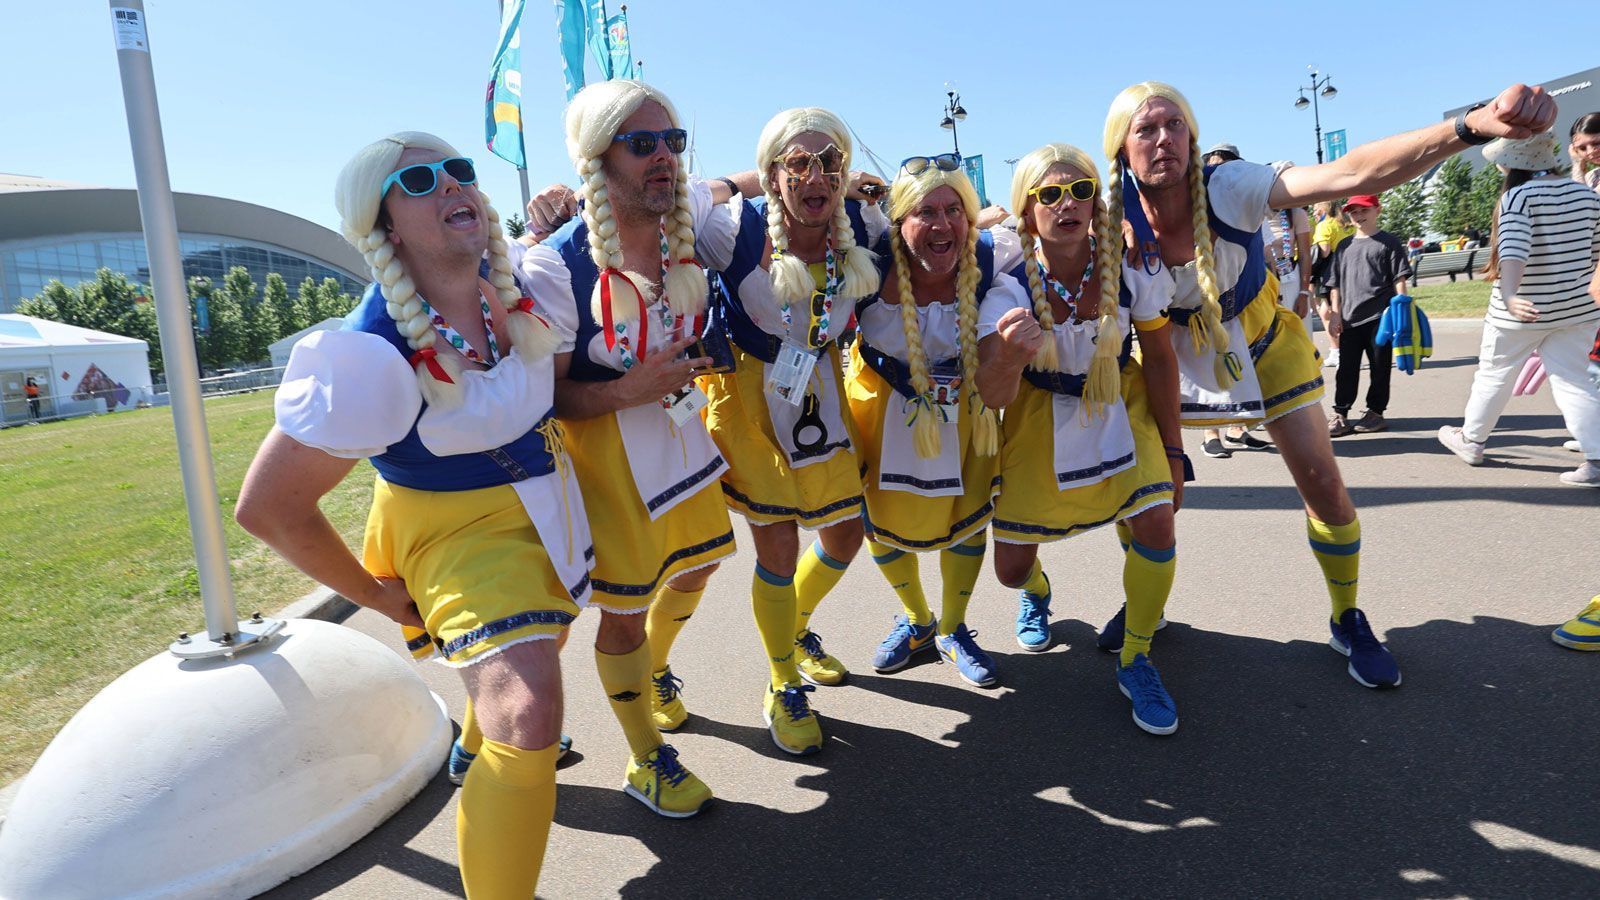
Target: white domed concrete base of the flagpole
225, 777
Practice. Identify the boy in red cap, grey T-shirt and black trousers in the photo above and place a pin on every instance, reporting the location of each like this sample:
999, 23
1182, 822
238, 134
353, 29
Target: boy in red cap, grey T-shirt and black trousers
1366, 273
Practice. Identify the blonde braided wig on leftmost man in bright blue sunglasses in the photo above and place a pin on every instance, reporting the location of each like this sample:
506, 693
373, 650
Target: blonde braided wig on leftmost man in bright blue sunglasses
359, 201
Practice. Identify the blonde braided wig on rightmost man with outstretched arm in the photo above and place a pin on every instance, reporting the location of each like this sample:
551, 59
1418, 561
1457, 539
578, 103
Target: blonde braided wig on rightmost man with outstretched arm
1206, 329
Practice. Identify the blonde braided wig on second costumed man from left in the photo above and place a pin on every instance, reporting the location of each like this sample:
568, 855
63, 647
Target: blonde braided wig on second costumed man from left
593, 121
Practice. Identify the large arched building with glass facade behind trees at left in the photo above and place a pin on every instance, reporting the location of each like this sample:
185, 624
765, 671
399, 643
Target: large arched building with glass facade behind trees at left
52, 230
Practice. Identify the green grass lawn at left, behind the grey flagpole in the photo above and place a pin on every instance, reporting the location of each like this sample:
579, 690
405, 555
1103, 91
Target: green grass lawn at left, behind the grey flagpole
97, 568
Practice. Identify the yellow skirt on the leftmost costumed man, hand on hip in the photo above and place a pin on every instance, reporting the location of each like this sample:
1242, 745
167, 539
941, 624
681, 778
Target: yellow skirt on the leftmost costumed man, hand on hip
474, 565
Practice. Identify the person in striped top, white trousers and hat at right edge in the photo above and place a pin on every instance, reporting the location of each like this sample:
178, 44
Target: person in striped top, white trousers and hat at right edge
1545, 299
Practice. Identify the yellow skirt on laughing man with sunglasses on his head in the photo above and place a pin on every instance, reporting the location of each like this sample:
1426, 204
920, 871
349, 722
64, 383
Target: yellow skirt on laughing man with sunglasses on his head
911, 521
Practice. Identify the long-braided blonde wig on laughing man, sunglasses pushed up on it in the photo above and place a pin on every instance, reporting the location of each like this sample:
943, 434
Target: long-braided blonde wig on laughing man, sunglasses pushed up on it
905, 196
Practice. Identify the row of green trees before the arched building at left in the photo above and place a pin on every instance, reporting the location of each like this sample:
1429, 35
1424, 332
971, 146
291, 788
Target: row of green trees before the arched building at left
241, 321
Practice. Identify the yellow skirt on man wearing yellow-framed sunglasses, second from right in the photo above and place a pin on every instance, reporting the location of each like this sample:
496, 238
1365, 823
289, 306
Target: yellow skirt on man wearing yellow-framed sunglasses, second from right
1033, 512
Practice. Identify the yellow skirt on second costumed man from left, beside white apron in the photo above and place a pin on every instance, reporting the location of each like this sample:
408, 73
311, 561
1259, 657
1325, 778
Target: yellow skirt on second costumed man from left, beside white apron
636, 555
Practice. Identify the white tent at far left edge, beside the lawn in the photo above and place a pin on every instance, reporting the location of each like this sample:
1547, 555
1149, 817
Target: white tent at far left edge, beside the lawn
79, 371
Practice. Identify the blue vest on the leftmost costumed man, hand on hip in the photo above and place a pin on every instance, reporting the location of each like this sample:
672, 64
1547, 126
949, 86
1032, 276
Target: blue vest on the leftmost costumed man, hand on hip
412, 465
